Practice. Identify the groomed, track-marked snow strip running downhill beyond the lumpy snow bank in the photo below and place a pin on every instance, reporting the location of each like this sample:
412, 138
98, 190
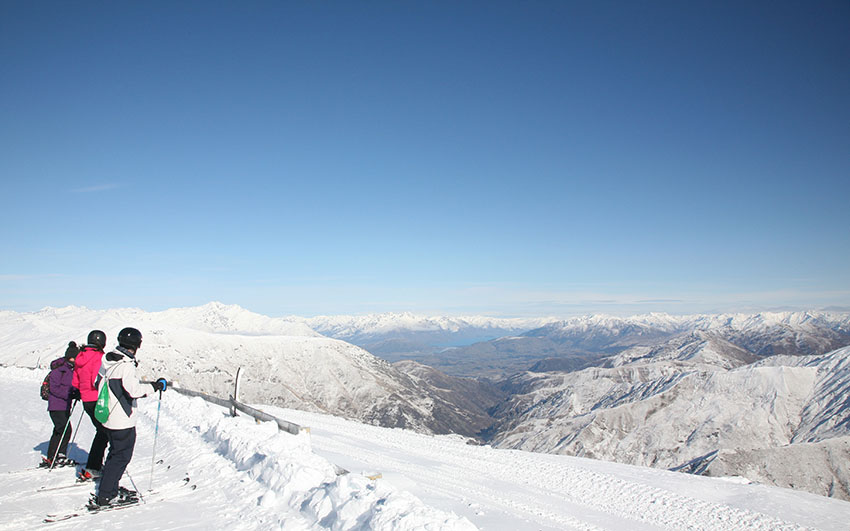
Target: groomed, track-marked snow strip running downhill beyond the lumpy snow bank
549, 491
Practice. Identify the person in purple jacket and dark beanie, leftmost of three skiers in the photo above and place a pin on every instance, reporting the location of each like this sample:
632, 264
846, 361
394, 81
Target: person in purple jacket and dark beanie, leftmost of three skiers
62, 394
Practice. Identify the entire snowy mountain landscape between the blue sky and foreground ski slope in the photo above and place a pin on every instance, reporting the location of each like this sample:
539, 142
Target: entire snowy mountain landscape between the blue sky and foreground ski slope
763, 396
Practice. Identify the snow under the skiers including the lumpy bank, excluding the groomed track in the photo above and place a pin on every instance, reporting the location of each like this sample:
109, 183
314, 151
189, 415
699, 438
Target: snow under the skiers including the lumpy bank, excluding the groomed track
242, 475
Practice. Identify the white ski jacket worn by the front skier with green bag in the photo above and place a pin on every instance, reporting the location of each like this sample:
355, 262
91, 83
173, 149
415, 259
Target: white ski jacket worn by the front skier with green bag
118, 372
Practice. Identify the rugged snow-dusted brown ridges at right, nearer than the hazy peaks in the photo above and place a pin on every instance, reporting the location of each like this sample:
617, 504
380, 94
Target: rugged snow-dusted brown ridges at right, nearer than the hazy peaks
678, 410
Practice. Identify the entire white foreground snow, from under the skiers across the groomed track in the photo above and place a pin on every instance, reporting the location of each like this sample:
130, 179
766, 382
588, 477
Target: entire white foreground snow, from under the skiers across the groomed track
244, 475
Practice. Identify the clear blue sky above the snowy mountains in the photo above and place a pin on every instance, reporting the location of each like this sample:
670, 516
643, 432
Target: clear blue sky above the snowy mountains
503, 158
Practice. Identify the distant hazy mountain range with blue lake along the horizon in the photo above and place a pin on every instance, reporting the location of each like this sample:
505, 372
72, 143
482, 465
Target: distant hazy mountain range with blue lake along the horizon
498, 348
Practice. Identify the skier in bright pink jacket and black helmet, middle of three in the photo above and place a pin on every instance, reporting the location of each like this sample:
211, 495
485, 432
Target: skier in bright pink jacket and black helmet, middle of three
85, 375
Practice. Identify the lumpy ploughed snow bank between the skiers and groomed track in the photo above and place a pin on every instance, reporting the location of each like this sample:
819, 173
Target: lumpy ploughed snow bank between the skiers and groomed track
294, 480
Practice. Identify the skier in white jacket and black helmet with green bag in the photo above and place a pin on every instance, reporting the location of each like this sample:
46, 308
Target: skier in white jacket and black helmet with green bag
118, 374
